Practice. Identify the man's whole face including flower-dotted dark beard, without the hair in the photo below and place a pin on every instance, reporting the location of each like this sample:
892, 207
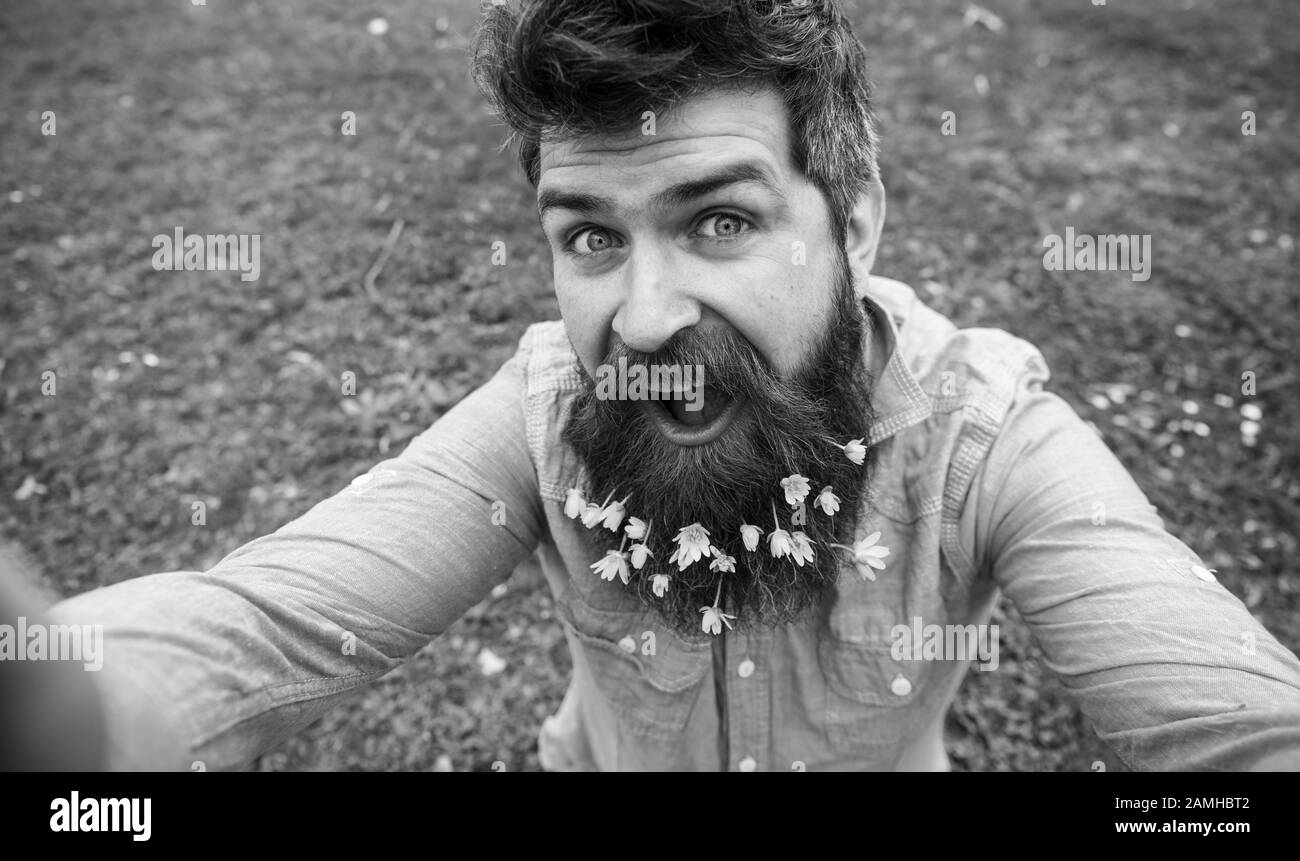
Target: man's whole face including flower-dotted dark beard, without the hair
704, 245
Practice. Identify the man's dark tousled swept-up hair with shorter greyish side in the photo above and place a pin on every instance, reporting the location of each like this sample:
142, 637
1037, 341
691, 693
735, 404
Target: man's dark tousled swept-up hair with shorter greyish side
557, 70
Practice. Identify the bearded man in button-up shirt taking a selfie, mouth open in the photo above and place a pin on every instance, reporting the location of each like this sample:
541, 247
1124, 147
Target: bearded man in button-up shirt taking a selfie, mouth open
739, 561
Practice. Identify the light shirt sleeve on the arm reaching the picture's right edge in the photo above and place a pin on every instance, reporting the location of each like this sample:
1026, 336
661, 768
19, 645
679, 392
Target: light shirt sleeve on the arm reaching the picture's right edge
1171, 668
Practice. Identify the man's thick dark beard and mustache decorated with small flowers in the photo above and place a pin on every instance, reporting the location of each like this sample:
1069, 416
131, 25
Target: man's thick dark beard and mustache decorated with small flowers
791, 426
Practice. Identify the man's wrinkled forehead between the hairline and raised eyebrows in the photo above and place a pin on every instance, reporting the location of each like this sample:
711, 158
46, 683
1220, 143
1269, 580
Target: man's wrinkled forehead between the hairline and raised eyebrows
699, 132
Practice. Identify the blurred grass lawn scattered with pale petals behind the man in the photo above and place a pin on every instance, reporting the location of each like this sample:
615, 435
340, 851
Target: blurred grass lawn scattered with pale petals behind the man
183, 387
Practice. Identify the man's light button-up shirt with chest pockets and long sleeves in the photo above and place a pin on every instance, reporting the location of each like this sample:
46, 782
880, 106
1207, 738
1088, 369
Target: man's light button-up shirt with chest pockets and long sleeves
985, 484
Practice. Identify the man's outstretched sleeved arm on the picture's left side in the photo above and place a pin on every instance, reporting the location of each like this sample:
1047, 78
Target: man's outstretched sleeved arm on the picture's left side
224, 664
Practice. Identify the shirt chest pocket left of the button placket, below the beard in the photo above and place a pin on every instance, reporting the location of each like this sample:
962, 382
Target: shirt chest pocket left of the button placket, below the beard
649, 678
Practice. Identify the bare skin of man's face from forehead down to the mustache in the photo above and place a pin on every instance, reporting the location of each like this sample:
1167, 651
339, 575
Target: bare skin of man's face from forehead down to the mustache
652, 239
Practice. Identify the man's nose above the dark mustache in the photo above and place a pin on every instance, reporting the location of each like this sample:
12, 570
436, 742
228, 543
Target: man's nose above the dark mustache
656, 302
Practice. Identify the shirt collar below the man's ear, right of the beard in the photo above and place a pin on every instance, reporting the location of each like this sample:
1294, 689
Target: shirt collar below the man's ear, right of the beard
898, 399
